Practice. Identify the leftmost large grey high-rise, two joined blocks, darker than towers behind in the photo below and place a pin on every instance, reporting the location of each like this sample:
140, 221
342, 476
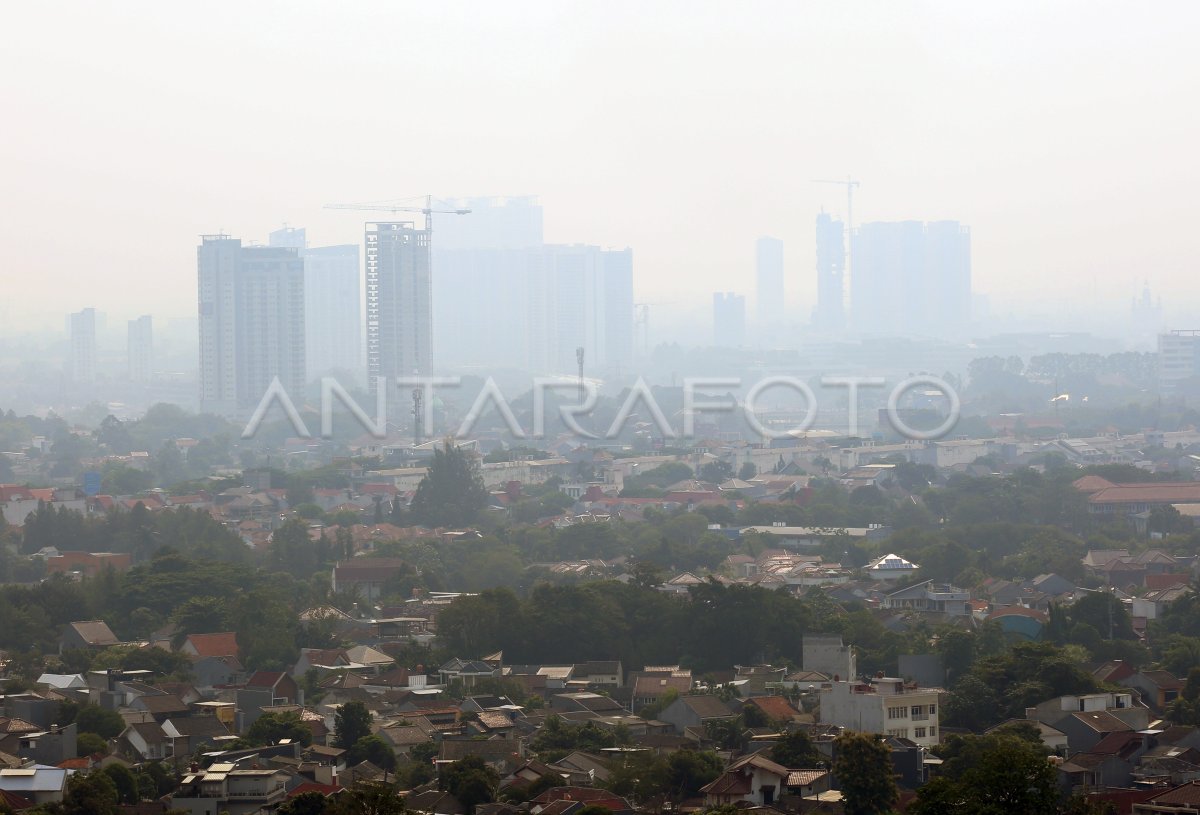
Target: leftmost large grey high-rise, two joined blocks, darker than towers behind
251, 321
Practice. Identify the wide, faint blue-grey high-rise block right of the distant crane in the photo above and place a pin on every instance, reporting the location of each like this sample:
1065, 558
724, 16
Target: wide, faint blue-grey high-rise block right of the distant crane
911, 279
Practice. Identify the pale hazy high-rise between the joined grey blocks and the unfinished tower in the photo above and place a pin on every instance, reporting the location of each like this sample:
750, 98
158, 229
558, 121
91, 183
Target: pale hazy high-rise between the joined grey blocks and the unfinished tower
333, 305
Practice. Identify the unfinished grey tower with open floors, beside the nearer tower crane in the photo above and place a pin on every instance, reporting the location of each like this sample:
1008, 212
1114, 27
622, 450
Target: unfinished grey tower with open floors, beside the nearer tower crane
399, 302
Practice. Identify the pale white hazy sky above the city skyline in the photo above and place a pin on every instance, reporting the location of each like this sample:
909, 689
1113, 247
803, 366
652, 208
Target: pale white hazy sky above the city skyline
1064, 134
